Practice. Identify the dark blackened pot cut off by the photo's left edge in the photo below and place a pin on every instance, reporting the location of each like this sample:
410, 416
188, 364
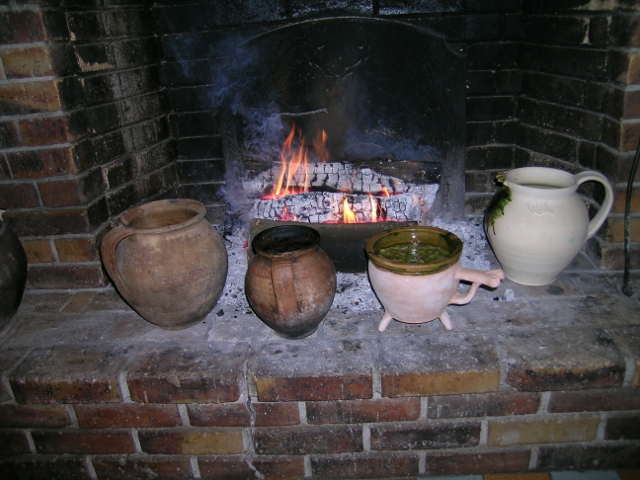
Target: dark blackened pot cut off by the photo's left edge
13, 274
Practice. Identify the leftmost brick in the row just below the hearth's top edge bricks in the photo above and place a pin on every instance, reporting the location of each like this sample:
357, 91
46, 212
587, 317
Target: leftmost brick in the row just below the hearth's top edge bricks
33, 416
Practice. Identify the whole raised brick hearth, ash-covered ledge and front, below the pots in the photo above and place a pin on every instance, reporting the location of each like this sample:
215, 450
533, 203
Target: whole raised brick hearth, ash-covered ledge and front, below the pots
547, 381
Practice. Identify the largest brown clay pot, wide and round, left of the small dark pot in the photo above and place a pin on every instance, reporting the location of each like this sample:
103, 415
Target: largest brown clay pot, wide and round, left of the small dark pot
167, 262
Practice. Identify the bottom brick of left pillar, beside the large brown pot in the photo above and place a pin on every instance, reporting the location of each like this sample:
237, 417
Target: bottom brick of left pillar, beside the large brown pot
64, 276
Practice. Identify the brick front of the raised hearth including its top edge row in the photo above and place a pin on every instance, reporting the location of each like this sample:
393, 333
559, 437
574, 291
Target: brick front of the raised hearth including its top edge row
395, 409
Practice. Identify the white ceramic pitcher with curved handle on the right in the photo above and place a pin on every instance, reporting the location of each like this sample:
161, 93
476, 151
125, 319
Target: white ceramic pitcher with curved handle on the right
537, 222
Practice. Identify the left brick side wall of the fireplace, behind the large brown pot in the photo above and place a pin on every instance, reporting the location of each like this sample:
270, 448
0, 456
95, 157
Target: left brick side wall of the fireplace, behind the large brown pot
83, 132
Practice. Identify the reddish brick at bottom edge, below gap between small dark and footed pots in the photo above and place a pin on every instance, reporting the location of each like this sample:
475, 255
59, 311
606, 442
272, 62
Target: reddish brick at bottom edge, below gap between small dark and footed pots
364, 466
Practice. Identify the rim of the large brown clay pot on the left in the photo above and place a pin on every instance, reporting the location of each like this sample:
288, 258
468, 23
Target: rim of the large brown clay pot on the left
150, 208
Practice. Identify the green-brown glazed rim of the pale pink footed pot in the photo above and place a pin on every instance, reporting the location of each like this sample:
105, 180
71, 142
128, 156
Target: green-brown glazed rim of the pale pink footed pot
416, 234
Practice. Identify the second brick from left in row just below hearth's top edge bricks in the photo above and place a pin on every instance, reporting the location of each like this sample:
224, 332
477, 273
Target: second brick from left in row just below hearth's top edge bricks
128, 415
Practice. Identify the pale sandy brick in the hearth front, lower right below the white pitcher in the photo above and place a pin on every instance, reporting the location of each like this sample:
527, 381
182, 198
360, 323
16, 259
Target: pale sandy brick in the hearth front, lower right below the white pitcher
541, 431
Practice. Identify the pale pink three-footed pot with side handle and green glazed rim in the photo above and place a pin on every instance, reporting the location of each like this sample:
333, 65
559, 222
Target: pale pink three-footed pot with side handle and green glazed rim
420, 292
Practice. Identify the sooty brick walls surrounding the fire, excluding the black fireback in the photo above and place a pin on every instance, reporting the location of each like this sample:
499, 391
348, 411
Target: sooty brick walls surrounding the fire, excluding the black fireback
105, 106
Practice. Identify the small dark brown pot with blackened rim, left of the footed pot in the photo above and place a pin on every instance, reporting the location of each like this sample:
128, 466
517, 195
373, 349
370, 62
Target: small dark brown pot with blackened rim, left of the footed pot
290, 282
